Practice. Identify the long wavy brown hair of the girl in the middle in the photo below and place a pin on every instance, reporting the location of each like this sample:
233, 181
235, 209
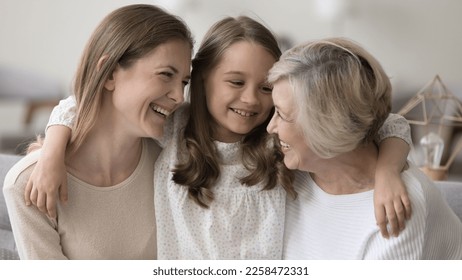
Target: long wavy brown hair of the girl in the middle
201, 169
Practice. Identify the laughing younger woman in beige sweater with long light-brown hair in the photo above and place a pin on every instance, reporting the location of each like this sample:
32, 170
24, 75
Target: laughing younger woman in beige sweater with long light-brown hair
131, 76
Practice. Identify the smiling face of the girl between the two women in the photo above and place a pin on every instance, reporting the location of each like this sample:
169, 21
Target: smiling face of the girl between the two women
237, 92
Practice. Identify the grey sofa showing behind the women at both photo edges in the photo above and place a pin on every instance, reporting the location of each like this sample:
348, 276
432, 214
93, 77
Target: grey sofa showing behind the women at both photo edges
452, 191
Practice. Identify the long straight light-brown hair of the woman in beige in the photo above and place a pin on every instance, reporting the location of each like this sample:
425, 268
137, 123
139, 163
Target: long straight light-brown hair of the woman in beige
124, 36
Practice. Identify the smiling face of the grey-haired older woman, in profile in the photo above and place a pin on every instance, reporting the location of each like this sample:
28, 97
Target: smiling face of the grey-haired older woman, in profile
297, 154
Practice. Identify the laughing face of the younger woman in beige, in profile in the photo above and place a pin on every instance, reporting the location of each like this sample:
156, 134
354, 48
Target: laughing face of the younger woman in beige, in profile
146, 93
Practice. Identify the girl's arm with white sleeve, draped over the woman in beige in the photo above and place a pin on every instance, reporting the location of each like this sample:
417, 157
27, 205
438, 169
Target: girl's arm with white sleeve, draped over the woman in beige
49, 174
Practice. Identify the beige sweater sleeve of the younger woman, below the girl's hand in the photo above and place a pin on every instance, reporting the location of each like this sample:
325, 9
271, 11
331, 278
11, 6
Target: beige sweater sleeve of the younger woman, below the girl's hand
35, 234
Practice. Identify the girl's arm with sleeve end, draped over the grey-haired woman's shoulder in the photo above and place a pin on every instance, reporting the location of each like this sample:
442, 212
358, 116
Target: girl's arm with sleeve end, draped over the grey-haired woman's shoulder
391, 200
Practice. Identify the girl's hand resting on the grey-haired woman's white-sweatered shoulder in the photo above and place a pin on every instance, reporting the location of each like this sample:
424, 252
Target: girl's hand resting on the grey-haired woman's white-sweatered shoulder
392, 204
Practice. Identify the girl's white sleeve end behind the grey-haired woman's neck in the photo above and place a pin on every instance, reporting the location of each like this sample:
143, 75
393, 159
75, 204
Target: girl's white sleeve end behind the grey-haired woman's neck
395, 126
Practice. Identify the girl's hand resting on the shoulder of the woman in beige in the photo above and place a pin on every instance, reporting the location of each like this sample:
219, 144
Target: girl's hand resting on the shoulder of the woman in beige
47, 179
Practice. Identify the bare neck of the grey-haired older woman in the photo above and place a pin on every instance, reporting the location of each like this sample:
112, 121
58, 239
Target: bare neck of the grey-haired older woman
348, 173
